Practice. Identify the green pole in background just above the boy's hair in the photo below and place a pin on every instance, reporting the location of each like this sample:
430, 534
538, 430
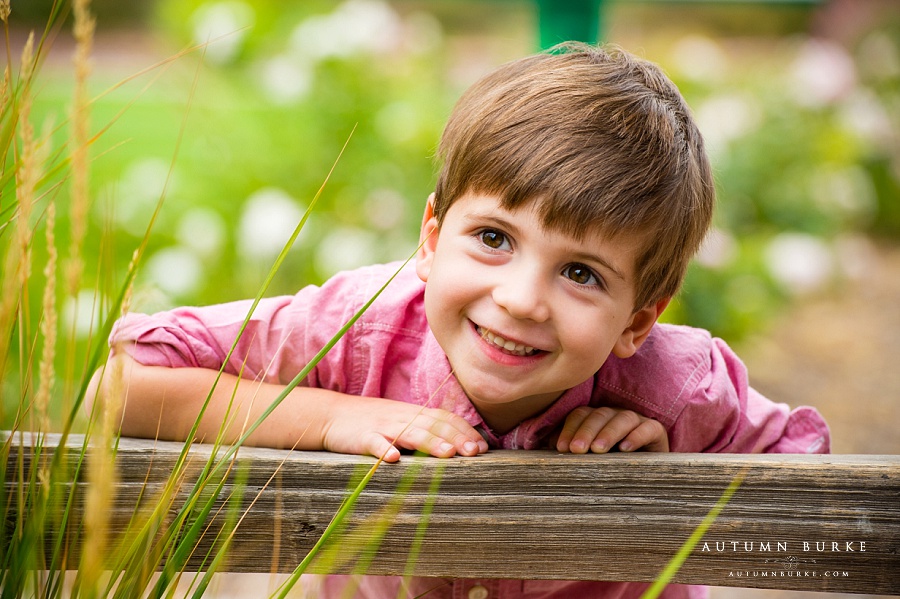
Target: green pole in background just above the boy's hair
565, 20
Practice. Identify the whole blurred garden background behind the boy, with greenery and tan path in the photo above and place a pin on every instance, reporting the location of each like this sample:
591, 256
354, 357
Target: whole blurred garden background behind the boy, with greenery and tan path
234, 111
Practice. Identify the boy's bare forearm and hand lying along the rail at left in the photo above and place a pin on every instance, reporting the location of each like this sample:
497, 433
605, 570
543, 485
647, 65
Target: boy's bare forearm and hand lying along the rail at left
164, 403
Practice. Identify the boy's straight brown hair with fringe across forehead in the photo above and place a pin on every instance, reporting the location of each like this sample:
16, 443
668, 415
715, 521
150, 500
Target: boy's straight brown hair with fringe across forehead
601, 139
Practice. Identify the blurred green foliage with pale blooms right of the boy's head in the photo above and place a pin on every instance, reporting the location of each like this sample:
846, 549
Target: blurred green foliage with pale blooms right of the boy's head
803, 136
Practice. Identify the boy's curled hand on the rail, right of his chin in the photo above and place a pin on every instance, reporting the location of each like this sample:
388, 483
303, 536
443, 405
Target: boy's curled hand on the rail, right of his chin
600, 429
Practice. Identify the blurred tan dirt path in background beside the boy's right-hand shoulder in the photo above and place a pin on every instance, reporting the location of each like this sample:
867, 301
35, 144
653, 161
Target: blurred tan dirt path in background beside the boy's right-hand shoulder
841, 354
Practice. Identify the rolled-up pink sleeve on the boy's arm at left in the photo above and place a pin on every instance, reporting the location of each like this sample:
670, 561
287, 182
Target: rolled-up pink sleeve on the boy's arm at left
281, 336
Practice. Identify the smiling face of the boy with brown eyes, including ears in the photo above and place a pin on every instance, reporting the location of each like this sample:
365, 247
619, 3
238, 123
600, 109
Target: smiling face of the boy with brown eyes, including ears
525, 313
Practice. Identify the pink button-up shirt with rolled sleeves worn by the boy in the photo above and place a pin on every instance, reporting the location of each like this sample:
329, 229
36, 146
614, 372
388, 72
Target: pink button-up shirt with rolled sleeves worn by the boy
690, 382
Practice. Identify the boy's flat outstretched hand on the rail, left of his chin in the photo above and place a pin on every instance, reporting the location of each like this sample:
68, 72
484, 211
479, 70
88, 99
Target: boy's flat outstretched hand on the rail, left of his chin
368, 425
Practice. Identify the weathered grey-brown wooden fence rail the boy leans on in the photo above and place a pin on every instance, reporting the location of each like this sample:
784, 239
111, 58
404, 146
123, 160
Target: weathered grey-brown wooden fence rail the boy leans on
812, 523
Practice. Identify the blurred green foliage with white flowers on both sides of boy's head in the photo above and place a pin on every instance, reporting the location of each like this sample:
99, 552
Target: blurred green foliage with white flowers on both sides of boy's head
802, 132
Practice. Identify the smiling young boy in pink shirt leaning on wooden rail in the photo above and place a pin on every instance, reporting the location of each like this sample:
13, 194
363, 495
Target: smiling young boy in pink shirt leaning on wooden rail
574, 191
